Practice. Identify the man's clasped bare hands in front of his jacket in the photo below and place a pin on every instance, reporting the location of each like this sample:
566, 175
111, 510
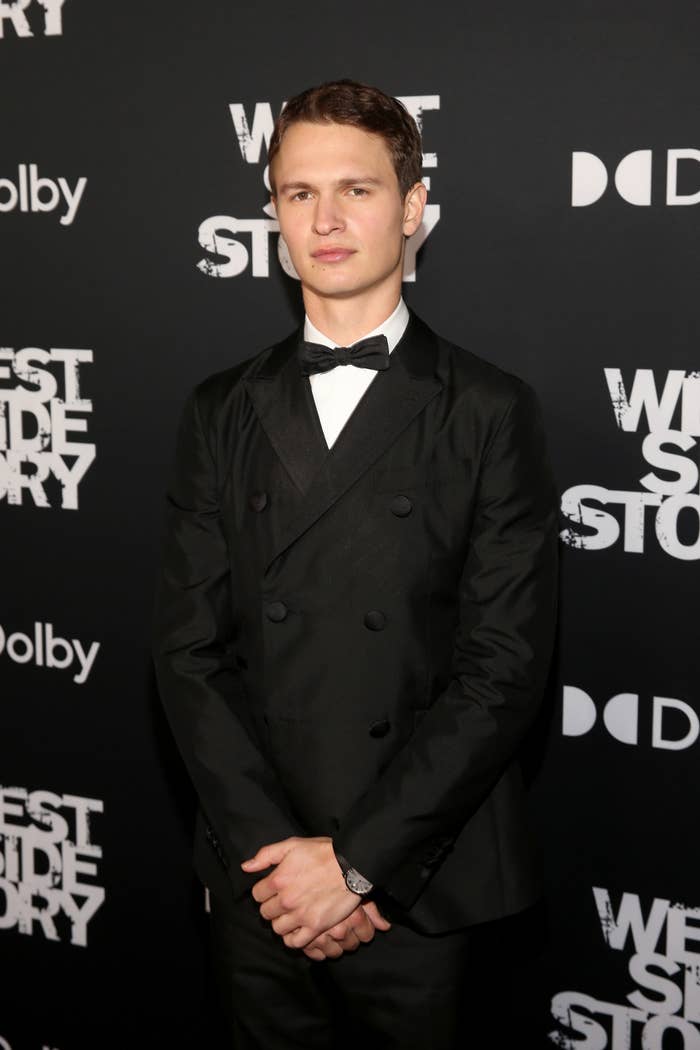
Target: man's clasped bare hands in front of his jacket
307, 901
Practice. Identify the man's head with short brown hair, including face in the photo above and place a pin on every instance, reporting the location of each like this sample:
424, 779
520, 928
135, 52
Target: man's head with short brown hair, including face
346, 176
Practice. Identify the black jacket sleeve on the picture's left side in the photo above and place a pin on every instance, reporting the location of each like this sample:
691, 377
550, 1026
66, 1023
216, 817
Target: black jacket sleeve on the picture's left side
196, 664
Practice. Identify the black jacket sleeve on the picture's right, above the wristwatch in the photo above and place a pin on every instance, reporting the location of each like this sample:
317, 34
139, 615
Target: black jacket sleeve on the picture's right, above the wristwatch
503, 644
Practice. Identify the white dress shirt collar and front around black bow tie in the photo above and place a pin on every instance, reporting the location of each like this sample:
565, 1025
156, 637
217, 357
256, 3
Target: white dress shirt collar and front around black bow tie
338, 391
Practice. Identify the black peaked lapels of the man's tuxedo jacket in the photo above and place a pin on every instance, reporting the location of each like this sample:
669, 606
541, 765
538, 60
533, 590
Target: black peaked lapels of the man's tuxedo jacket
285, 406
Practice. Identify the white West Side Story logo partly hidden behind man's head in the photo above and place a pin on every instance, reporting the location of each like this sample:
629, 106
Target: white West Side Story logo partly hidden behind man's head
230, 258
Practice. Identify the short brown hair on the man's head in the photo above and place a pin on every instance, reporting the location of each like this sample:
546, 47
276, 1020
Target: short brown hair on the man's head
350, 102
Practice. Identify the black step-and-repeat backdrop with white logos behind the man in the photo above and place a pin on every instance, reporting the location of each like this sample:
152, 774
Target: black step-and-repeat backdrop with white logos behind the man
138, 255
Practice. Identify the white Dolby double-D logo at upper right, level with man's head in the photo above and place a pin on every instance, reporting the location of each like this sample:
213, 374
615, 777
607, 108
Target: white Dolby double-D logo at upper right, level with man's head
632, 177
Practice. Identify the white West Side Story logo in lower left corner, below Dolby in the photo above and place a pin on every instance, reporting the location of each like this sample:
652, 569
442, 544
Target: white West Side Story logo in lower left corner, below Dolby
49, 865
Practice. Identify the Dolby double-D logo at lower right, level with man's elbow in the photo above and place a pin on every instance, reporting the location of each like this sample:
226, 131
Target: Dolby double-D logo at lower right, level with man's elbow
675, 724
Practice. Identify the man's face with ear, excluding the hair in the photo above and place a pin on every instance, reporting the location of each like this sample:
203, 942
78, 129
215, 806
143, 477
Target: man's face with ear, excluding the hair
341, 209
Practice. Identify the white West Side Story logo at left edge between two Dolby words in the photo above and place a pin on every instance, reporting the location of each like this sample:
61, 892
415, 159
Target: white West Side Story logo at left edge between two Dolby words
44, 452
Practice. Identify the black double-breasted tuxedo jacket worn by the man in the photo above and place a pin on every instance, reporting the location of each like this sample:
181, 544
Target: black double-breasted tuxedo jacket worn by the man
354, 642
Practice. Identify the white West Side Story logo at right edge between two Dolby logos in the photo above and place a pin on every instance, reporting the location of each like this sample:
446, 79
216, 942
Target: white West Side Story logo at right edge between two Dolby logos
668, 448
